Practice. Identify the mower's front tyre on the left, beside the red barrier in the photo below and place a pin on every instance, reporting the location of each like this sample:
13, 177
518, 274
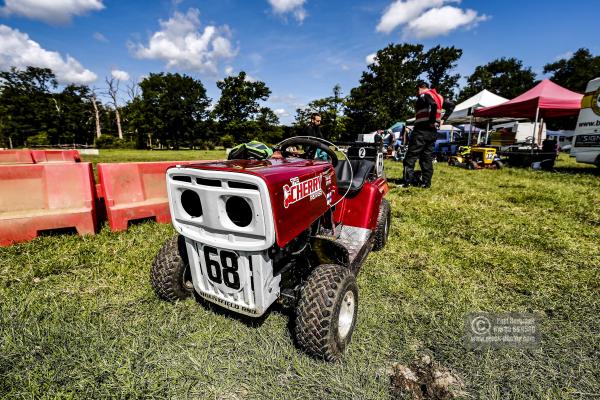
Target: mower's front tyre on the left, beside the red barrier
170, 276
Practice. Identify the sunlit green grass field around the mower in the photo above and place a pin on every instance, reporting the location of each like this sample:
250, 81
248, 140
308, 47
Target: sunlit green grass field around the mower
78, 318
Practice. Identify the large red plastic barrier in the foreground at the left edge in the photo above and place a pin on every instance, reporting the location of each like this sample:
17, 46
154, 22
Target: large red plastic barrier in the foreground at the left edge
40, 197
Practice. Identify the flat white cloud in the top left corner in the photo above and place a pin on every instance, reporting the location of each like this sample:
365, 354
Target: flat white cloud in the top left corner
51, 11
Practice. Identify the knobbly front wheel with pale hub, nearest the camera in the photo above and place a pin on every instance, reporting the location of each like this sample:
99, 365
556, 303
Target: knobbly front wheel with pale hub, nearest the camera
326, 312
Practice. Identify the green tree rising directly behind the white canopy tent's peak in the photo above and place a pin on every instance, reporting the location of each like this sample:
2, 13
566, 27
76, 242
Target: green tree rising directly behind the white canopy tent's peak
505, 77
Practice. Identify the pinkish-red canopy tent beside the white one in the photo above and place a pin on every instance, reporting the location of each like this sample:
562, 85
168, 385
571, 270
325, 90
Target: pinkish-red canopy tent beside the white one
545, 100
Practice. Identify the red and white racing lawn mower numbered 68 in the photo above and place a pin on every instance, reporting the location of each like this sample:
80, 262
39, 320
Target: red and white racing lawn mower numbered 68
288, 229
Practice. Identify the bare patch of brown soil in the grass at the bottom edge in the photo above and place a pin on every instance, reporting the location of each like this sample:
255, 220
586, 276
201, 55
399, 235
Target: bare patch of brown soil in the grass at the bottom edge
424, 380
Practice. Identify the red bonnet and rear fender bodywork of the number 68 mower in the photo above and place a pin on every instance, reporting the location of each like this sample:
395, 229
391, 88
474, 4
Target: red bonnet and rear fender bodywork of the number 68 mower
301, 191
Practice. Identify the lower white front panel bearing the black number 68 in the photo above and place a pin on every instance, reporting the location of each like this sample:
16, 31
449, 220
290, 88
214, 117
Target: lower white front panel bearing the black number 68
240, 281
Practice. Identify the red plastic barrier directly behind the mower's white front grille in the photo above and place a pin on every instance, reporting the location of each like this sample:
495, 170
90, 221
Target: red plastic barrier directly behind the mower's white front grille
134, 191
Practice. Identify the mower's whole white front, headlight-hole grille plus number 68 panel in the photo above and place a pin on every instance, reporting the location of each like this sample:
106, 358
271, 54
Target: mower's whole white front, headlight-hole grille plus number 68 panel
229, 263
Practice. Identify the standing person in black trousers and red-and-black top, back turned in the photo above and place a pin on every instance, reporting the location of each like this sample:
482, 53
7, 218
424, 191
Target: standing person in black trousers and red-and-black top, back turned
421, 144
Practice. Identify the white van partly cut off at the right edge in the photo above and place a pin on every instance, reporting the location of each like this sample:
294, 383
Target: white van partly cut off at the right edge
586, 141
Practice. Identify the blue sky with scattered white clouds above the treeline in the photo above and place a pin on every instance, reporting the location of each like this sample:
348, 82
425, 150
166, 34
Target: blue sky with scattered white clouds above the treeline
300, 48
